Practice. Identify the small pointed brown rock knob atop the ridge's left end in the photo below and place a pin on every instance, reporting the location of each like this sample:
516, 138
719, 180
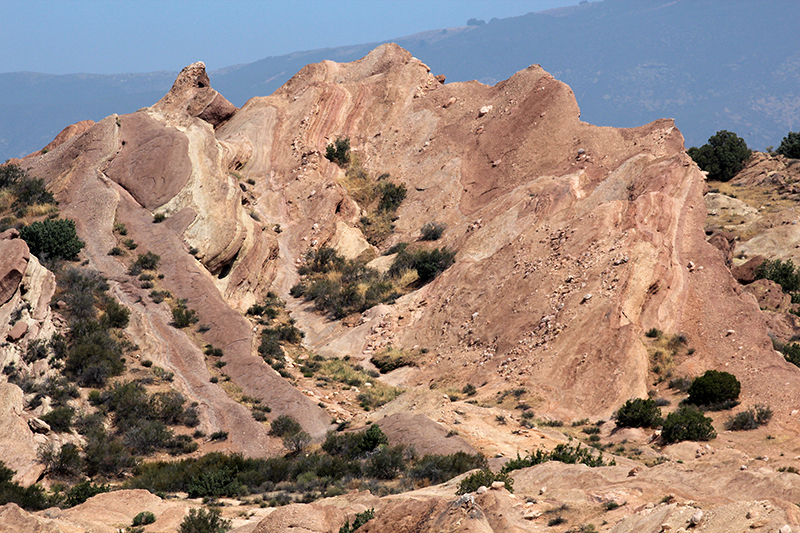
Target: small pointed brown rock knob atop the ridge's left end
192, 95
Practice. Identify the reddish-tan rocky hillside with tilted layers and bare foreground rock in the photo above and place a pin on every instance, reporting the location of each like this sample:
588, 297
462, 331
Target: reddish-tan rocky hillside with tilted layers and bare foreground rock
571, 243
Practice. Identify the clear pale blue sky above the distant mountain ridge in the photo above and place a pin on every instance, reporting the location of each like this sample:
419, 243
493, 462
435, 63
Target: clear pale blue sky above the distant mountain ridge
114, 36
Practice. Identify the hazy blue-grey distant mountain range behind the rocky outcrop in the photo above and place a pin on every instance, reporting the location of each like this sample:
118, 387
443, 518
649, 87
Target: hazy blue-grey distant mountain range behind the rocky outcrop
710, 65
